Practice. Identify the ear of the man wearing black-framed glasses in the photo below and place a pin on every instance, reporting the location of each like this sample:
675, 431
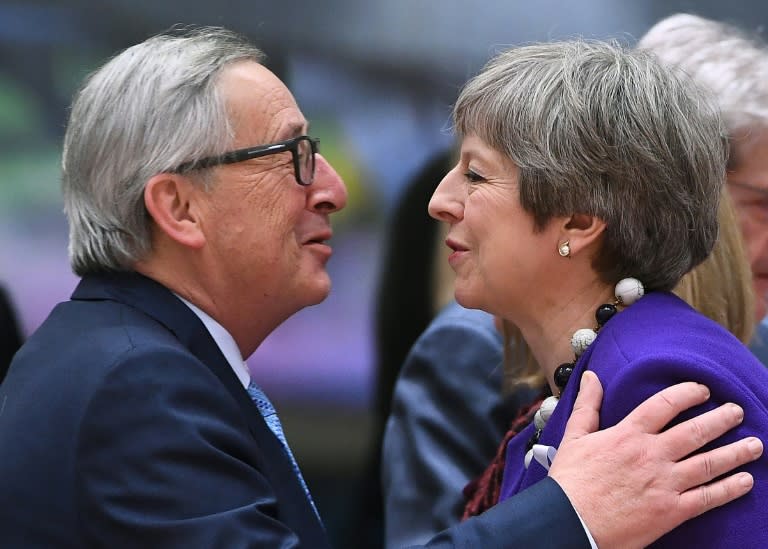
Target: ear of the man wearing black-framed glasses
170, 201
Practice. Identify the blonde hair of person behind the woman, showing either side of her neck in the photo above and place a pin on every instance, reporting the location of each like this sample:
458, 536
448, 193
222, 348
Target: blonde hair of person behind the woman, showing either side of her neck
719, 288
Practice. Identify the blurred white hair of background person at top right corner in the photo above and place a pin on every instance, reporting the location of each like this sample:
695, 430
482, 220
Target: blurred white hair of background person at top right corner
732, 64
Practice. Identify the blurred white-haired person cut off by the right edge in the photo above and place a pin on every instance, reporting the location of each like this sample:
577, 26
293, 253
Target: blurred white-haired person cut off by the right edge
733, 65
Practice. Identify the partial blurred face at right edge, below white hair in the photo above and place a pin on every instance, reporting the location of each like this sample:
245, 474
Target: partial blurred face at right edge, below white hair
748, 187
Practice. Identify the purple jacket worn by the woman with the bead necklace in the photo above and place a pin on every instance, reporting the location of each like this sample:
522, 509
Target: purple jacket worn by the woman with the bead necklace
655, 343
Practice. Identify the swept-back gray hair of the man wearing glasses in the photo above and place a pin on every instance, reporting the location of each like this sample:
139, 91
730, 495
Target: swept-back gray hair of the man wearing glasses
146, 111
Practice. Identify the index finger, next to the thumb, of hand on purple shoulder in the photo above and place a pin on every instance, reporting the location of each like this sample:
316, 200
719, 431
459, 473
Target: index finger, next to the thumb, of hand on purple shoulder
658, 410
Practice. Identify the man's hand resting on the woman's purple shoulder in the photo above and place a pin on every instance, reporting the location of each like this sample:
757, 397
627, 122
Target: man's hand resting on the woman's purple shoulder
639, 476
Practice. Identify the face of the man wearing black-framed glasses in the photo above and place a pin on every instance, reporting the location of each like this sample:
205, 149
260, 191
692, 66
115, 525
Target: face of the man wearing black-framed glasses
268, 234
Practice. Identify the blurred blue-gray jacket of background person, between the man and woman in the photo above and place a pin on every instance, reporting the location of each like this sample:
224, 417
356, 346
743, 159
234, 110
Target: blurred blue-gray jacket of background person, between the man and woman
447, 419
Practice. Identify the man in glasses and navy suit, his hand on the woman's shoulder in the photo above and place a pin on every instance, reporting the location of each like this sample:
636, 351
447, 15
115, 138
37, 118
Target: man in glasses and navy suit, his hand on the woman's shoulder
199, 219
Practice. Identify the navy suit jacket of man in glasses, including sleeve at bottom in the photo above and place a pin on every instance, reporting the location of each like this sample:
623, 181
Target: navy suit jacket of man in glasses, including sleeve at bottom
122, 425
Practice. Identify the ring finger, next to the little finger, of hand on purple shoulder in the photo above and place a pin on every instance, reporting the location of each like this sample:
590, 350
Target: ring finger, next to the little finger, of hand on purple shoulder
703, 468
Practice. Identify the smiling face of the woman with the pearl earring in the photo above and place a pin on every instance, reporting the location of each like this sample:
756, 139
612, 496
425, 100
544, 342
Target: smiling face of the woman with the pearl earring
497, 256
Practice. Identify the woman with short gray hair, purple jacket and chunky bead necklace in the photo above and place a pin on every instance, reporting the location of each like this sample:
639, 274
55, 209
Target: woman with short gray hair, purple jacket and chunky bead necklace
583, 164
